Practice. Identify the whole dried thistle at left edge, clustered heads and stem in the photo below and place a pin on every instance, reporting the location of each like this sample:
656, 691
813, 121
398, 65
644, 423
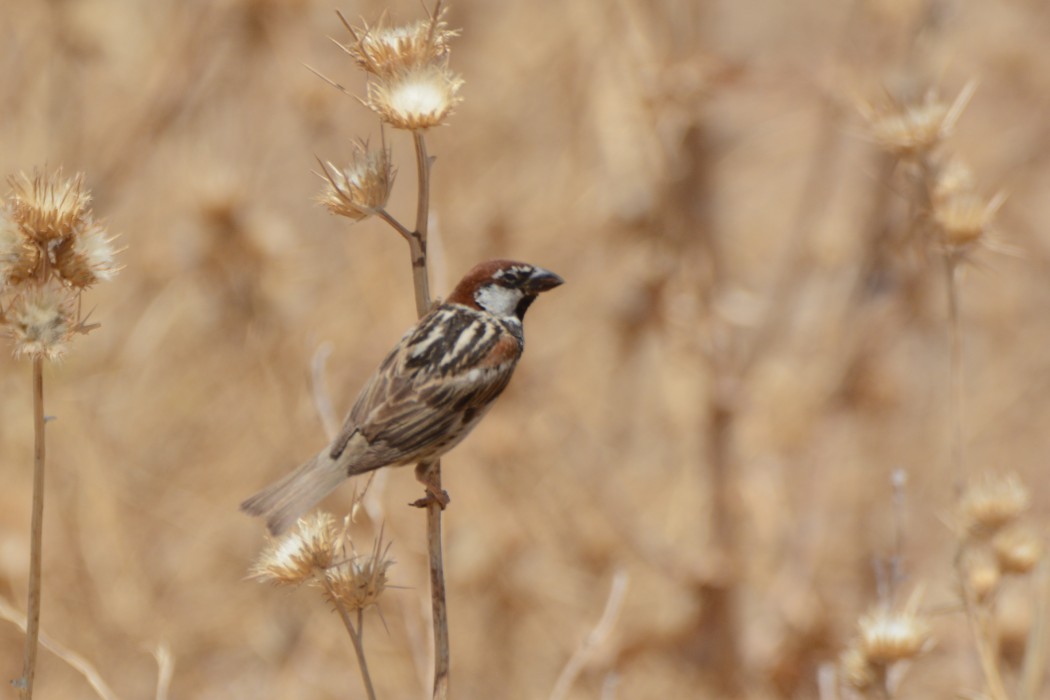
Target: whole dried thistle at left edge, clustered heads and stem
52, 249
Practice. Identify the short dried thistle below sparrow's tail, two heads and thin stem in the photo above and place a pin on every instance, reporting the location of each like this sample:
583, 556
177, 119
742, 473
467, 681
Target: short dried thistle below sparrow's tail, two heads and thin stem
322, 555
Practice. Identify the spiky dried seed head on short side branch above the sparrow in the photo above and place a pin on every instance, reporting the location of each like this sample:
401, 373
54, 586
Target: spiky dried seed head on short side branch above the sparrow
362, 188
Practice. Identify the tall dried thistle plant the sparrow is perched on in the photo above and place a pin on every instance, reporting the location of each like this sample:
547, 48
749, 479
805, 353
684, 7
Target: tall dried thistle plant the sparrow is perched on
412, 88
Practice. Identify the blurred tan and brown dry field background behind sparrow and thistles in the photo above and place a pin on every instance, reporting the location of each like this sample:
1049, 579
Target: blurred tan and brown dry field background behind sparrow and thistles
709, 413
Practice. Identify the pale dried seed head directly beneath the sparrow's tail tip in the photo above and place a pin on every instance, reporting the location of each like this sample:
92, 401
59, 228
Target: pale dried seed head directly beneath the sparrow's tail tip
301, 556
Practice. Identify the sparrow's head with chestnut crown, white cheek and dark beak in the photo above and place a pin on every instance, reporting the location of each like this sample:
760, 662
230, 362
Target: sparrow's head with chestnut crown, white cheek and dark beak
503, 288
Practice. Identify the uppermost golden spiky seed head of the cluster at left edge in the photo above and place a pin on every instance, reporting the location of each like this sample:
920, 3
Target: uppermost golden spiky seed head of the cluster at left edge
49, 209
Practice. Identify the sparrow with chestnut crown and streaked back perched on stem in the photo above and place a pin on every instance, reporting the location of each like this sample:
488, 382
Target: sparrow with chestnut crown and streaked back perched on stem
429, 393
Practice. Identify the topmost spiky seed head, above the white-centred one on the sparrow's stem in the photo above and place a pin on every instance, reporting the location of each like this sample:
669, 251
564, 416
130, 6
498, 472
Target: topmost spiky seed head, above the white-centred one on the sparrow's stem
384, 51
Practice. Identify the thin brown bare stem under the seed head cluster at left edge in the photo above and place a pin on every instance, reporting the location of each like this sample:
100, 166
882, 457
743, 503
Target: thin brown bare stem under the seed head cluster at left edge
33, 607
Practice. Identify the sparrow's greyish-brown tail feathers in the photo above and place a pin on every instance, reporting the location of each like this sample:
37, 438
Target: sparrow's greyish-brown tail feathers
286, 501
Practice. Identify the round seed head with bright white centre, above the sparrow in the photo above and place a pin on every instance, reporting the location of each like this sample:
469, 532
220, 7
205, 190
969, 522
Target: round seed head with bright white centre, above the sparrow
415, 99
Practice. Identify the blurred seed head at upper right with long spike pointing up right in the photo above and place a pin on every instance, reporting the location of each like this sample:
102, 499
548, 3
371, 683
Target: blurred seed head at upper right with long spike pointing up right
914, 131
